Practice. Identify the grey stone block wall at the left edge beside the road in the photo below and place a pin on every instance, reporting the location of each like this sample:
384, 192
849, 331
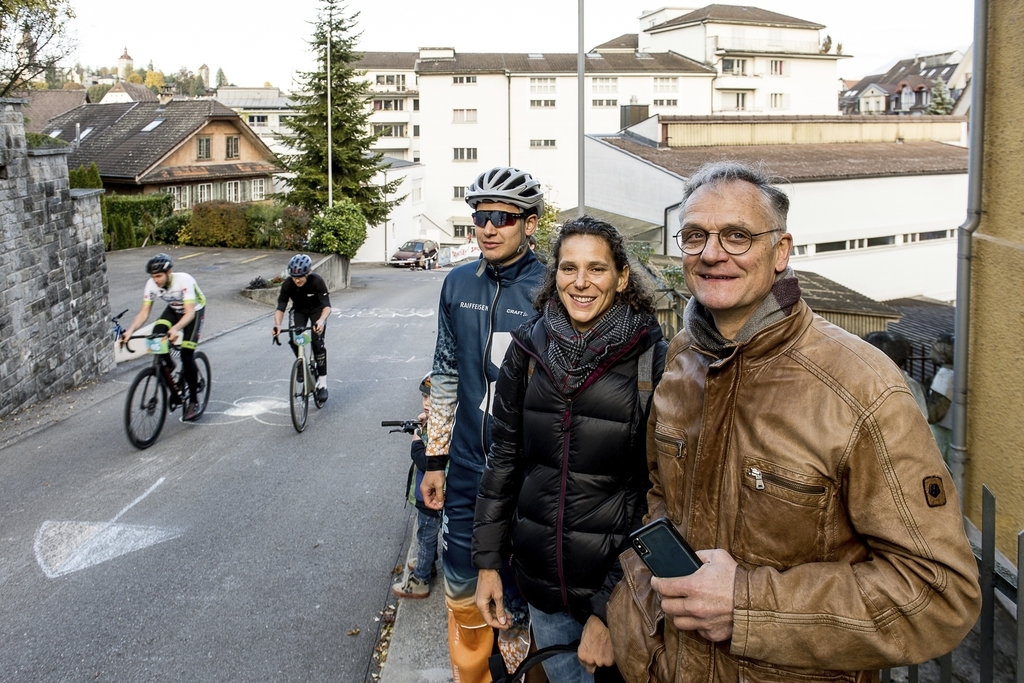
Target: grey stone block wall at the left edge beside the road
55, 306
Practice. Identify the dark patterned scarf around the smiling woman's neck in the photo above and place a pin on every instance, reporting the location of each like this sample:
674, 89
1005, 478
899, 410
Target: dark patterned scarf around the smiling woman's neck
573, 357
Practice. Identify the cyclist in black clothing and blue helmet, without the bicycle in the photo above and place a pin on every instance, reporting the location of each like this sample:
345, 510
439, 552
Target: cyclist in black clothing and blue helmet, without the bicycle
310, 303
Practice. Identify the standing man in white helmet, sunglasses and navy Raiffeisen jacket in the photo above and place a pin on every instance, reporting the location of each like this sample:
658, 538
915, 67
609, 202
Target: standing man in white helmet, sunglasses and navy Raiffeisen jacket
481, 305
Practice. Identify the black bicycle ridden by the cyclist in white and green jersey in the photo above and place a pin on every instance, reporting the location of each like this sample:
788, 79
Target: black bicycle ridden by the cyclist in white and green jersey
159, 389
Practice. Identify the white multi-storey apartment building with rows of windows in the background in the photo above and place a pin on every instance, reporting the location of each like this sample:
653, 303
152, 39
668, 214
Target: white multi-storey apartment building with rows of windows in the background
460, 114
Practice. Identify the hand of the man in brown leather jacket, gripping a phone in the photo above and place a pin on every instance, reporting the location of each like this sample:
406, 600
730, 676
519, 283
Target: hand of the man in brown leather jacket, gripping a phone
703, 602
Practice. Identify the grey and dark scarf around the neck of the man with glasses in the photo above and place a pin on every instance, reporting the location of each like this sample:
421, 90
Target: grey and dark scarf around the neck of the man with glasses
701, 326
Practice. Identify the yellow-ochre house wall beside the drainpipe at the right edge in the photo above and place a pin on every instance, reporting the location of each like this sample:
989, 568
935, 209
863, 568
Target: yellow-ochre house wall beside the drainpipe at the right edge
996, 409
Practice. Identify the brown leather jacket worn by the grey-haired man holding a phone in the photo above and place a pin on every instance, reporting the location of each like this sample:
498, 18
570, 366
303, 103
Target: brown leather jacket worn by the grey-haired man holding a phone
805, 456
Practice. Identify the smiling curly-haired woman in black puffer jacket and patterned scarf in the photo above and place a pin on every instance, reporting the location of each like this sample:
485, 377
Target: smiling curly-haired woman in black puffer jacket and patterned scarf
567, 476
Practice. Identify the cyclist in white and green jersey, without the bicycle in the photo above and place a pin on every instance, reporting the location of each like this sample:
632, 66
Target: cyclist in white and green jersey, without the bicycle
185, 314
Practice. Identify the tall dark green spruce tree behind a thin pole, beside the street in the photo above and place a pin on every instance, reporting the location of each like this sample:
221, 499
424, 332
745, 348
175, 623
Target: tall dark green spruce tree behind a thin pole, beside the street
354, 162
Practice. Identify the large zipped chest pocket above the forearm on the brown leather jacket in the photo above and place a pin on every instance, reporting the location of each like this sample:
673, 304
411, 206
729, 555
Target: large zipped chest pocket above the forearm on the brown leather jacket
782, 517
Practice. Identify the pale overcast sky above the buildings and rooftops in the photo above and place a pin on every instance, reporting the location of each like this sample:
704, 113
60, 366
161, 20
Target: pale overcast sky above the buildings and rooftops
261, 41
